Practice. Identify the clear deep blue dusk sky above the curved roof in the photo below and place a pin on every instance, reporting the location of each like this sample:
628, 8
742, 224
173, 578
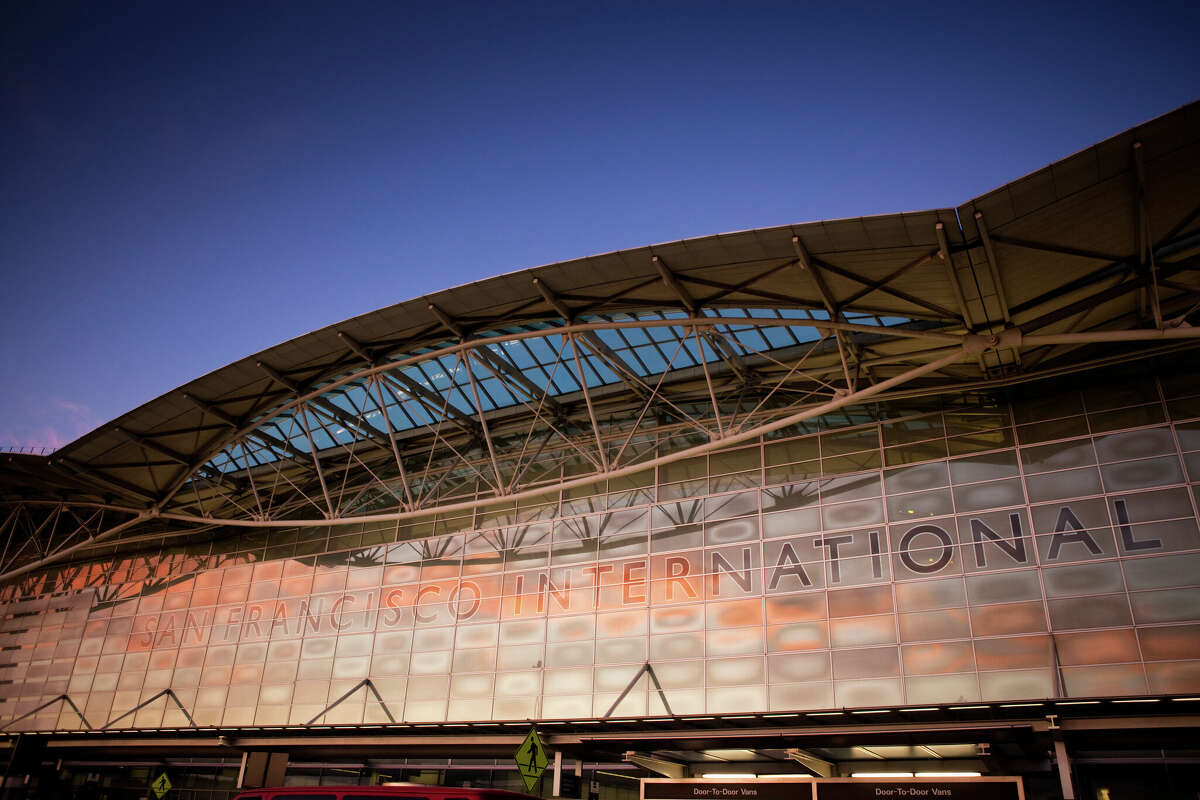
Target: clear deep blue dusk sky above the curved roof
187, 184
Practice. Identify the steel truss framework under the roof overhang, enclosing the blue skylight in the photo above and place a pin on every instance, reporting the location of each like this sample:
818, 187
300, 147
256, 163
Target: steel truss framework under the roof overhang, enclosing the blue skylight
574, 388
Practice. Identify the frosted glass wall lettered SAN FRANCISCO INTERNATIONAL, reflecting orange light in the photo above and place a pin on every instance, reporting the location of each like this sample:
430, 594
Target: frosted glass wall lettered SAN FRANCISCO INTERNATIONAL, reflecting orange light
922, 582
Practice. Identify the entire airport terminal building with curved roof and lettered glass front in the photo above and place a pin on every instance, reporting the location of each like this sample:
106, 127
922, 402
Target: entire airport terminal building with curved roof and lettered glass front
916, 491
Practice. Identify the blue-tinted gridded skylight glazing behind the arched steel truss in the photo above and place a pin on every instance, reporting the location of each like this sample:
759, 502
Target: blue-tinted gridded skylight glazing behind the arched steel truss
449, 390
